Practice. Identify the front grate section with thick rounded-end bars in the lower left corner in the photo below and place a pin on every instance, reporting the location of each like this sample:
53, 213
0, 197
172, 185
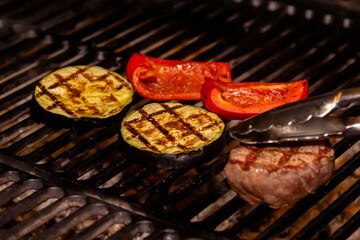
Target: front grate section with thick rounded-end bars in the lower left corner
39, 208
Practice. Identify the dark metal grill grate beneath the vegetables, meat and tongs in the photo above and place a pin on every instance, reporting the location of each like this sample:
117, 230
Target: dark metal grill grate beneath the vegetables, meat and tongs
74, 184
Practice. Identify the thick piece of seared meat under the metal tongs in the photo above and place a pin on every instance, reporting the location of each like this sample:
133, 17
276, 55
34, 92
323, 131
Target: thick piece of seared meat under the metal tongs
279, 175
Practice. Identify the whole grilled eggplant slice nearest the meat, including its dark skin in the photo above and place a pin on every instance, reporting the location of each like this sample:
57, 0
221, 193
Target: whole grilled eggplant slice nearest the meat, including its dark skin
171, 135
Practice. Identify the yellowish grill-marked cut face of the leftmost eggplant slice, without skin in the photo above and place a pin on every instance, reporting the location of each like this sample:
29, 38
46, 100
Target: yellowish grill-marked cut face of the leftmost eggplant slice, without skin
76, 82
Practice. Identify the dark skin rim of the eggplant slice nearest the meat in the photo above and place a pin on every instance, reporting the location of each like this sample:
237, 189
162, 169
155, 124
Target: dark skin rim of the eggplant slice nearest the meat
171, 161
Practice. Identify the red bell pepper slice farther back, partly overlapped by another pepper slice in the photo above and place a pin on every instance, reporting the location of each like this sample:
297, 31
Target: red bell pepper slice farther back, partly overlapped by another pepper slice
162, 79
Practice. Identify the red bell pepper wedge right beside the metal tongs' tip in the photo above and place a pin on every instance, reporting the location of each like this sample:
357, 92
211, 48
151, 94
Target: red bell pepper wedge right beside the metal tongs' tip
245, 99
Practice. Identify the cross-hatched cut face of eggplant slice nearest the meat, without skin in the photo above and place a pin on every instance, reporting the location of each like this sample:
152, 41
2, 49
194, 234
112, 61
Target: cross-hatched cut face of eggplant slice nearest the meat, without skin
188, 127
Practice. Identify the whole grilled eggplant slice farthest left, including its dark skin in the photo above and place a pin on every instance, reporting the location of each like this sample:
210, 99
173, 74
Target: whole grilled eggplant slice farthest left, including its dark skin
82, 96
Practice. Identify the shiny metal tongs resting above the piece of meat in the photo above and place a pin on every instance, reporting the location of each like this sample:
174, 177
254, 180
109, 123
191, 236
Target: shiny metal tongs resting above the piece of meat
314, 118
